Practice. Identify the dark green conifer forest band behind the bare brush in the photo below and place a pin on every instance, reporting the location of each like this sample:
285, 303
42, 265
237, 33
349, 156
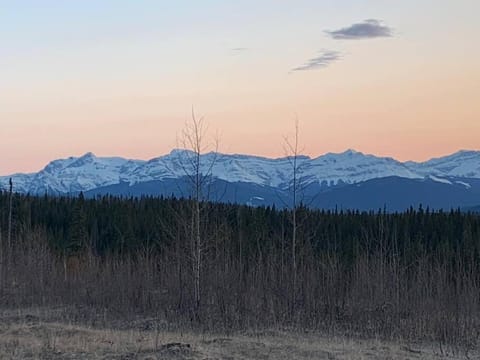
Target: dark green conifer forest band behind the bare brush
112, 225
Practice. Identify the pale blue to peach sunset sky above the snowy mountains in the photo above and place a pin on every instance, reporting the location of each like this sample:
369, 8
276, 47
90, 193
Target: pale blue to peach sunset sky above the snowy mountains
119, 78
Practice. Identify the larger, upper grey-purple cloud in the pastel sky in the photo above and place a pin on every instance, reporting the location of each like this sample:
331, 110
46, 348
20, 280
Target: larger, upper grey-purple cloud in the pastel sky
365, 30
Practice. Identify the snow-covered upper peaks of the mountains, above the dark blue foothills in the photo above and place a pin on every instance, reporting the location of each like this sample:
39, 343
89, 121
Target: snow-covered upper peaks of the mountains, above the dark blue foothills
89, 172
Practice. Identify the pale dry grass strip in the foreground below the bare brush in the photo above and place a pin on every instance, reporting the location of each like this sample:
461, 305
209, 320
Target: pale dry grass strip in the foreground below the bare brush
41, 334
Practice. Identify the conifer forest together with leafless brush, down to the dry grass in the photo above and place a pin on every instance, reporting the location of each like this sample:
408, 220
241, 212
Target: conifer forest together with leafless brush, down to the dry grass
414, 274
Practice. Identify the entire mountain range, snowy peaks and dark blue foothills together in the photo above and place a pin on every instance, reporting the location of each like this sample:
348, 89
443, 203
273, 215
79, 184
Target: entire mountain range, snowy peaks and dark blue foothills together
344, 180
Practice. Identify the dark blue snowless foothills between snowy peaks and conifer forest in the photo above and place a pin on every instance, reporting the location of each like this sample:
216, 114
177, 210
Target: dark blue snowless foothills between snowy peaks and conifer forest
392, 193
